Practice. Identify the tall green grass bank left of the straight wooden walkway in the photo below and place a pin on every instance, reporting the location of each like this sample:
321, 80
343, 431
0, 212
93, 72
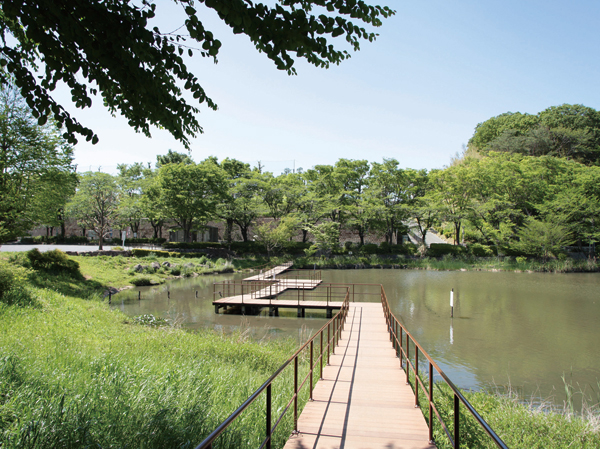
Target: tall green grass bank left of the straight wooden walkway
74, 373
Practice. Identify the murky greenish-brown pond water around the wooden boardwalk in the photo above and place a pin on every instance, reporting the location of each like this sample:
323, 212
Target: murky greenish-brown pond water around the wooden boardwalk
527, 330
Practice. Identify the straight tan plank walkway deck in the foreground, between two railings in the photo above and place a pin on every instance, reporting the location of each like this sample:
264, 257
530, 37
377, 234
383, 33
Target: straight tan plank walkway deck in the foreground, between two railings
363, 400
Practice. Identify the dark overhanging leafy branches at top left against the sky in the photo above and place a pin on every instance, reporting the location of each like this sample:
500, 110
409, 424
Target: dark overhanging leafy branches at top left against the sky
112, 48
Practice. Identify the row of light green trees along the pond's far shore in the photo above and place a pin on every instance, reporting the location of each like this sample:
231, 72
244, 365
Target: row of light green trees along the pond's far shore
510, 203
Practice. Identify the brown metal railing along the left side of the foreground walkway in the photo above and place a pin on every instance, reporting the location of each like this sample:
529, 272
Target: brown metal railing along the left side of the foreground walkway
333, 328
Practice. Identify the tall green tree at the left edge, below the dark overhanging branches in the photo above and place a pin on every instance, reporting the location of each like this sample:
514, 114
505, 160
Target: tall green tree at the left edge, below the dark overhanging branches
36, 172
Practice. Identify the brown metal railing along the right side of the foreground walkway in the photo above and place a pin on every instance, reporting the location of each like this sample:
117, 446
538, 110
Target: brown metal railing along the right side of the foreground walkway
397, 332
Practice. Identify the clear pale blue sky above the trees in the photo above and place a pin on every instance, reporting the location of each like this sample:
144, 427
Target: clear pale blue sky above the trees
416, 94
